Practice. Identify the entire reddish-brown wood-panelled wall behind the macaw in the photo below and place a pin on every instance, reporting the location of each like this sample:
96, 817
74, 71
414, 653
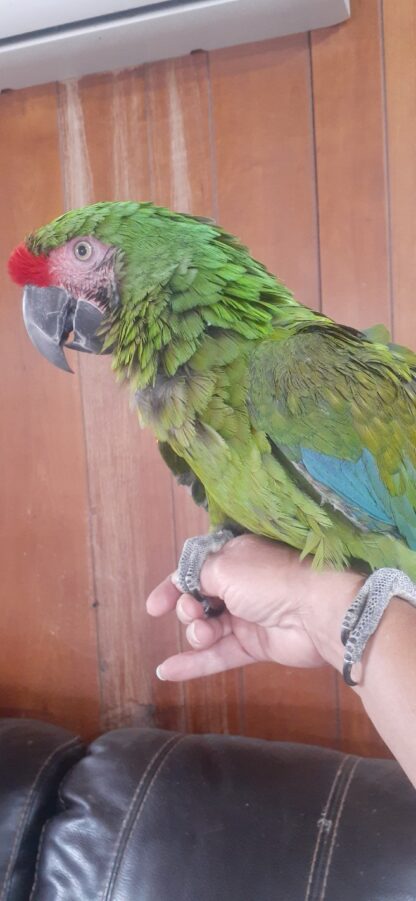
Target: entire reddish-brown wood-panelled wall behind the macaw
303, 147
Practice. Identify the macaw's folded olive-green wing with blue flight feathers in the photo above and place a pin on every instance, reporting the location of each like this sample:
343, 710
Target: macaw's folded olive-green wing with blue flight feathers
341, 410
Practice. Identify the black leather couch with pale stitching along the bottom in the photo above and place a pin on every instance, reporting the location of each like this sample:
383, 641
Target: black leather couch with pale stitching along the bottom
157, 816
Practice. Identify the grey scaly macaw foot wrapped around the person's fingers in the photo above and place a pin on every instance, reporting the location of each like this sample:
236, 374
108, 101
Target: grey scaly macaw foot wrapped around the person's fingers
194, 553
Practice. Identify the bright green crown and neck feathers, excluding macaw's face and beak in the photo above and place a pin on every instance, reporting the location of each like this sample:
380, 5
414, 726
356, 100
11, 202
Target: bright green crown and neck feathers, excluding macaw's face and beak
182, 281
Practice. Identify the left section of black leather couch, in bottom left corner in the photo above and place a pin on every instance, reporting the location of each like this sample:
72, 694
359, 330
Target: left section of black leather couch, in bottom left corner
34, 757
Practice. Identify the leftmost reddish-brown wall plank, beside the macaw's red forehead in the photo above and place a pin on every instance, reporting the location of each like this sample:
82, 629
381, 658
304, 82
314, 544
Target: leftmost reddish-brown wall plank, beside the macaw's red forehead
48, 663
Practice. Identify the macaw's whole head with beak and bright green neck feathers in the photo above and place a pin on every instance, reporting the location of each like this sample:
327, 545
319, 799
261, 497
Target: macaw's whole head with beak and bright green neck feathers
141, 282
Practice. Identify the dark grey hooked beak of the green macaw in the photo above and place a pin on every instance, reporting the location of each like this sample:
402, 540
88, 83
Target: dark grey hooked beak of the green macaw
51, 315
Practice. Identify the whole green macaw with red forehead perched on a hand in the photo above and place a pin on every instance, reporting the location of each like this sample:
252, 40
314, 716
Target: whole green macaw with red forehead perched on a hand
283, 422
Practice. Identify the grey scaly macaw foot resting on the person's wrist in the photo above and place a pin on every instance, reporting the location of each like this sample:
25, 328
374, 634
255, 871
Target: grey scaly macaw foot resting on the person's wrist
364, 614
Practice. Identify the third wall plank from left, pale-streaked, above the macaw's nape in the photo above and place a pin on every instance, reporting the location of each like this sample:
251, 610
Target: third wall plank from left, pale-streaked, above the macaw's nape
179, 133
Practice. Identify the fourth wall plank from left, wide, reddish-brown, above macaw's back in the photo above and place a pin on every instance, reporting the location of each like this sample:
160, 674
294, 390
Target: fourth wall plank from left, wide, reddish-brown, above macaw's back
261, 105
